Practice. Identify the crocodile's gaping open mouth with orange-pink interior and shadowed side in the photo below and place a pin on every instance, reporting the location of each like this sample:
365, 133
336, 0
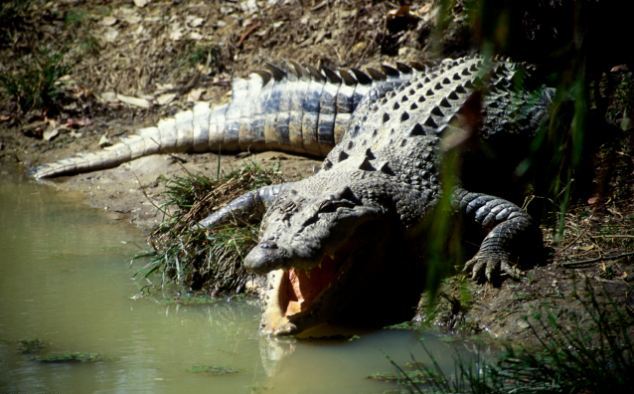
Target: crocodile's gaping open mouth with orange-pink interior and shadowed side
323, 298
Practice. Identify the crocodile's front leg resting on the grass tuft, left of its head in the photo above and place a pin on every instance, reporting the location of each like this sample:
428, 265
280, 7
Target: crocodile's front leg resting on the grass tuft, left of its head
248, 207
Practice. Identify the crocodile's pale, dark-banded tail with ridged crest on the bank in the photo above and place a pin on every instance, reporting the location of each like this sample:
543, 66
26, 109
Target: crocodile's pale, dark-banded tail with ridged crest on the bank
287, 107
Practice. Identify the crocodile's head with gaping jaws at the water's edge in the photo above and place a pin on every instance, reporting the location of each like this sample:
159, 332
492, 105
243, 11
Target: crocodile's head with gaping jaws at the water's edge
332, 252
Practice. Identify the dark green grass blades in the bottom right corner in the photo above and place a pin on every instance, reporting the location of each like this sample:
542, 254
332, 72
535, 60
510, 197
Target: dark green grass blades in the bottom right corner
593, 354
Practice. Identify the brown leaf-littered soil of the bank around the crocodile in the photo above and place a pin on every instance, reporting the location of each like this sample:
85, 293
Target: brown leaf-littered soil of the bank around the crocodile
167, 54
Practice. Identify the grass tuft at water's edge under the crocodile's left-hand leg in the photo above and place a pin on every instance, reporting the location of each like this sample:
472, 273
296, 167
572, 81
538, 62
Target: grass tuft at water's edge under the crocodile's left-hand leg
195, 259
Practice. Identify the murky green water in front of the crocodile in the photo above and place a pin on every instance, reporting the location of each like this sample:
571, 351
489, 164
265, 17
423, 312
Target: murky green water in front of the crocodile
65, 279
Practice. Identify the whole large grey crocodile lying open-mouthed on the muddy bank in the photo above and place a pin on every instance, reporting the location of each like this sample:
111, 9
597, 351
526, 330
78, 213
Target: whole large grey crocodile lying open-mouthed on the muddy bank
343, 246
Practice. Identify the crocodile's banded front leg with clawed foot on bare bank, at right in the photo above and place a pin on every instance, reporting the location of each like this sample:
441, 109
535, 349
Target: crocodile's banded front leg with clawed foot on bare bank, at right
505, 225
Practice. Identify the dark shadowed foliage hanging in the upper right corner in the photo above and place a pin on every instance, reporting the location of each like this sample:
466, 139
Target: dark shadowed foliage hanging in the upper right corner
565, 39
